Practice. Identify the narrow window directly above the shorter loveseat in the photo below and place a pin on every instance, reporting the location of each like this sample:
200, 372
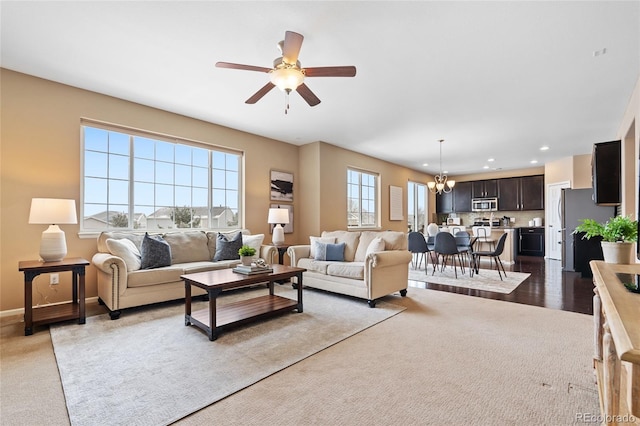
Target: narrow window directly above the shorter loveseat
362, 199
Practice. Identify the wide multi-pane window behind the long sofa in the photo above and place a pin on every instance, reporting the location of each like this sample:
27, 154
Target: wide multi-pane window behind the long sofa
142, 181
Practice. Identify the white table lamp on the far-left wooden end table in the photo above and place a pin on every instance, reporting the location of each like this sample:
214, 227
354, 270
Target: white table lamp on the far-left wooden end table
52, 211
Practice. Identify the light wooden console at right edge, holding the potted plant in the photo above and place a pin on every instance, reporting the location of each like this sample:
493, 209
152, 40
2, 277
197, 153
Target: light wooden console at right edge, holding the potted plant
616, 313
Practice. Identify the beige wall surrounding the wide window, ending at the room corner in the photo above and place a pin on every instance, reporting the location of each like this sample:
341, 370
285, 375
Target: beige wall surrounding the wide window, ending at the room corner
40, 150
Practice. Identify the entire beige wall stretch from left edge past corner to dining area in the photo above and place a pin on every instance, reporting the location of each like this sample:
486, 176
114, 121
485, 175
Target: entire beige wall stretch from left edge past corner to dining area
40, 157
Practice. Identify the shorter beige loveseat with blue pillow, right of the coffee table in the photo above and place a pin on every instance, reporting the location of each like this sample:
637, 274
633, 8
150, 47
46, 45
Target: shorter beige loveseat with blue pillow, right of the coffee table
375, 264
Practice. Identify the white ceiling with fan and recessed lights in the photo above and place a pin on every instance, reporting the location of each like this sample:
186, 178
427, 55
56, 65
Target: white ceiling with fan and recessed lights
494, 79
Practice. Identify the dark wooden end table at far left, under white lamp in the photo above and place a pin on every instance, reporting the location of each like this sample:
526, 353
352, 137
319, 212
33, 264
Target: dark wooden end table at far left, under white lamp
59, 312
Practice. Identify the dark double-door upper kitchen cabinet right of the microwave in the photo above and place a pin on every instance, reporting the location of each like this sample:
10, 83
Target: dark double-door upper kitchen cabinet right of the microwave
521, 193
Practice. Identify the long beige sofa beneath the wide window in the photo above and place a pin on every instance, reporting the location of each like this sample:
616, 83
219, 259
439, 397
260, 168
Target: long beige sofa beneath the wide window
122, 284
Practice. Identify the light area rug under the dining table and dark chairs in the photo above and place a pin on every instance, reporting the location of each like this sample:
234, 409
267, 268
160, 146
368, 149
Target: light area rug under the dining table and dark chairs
487, 279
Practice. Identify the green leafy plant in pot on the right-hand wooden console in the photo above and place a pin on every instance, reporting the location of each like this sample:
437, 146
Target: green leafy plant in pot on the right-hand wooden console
618, 235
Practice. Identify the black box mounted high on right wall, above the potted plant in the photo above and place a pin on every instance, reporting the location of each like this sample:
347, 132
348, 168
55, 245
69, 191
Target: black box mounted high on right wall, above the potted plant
606, 166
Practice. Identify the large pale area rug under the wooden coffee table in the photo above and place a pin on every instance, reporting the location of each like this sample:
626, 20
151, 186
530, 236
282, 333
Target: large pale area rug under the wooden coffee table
148, 368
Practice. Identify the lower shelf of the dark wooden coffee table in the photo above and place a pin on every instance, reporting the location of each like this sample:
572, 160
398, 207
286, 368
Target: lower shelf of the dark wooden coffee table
240, 312
